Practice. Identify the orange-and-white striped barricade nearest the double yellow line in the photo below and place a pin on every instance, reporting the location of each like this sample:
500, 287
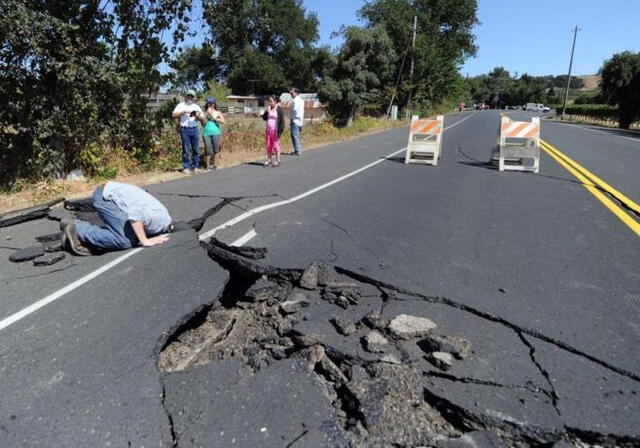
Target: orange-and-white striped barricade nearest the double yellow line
518, 145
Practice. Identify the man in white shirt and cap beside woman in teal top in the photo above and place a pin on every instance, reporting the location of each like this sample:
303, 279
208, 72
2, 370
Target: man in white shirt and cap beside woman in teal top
189, 114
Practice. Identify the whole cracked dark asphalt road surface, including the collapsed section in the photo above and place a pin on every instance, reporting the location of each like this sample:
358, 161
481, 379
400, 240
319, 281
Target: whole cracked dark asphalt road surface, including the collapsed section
538, 276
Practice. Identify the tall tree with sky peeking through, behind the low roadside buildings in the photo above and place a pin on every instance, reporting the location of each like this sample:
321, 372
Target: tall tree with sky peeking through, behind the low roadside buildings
268, 41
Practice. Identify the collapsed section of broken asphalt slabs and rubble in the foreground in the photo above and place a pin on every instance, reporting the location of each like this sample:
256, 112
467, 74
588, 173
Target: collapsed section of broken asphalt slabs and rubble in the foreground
322, 356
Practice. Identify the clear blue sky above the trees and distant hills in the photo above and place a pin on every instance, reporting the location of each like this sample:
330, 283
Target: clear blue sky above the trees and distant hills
531, 36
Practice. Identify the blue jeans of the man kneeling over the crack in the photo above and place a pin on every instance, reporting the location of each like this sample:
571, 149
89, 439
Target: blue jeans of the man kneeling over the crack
117, 235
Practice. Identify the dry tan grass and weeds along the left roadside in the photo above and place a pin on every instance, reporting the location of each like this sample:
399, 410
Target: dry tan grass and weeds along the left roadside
243, 141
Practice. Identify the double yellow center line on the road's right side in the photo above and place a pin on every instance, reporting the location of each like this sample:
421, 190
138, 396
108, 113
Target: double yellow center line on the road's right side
595, 186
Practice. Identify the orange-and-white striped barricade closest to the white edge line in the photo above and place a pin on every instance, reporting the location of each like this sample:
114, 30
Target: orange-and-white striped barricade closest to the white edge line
425, 140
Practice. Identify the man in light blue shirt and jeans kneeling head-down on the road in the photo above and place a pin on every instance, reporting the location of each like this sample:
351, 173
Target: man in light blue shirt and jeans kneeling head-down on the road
132, 216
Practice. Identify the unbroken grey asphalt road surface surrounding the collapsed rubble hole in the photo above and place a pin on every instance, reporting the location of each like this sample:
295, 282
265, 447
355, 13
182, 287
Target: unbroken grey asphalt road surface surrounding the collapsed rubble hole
544, 278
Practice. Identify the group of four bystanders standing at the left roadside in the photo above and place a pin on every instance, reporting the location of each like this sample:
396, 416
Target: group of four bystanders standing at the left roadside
191, 117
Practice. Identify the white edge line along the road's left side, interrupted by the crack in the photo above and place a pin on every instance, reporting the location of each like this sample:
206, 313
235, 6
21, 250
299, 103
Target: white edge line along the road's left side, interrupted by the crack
6, 322
